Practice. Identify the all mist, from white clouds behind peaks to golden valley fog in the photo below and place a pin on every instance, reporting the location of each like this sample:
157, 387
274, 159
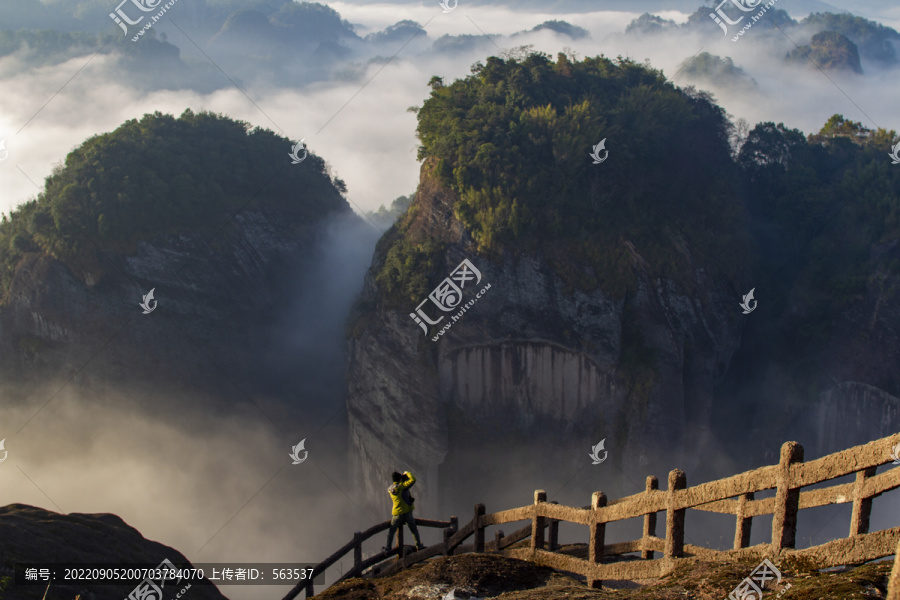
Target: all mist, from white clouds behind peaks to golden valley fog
216, 481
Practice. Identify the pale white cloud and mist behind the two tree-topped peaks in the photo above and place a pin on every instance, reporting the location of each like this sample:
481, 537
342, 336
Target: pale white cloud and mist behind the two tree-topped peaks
364, 130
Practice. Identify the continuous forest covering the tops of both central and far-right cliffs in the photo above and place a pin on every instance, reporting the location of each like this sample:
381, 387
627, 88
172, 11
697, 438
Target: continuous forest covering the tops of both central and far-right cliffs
513, 140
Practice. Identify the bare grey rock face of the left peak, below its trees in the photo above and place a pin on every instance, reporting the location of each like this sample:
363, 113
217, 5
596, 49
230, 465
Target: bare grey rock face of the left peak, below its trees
212, 321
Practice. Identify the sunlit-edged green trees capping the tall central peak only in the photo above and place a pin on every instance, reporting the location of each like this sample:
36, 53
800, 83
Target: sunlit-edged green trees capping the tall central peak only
513, 141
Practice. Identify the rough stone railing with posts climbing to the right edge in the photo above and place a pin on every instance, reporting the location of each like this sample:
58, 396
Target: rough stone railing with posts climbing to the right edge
733, 495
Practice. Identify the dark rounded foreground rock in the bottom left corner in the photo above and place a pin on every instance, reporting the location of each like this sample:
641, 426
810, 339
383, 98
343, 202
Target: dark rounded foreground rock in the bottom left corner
36, 535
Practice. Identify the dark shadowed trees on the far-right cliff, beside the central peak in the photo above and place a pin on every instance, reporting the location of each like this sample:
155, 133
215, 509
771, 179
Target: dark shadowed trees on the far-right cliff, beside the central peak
826, 210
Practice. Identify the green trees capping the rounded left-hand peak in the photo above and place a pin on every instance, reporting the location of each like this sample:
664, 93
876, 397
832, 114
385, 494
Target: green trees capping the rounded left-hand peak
163, 175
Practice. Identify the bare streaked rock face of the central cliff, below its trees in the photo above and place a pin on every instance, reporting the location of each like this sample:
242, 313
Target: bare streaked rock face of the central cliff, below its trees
530, 364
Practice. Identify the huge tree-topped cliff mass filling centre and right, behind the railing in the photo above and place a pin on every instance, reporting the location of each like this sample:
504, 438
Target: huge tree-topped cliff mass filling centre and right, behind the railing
532, 303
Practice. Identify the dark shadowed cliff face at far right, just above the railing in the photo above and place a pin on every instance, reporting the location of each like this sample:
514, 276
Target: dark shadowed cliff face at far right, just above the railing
850, 392
